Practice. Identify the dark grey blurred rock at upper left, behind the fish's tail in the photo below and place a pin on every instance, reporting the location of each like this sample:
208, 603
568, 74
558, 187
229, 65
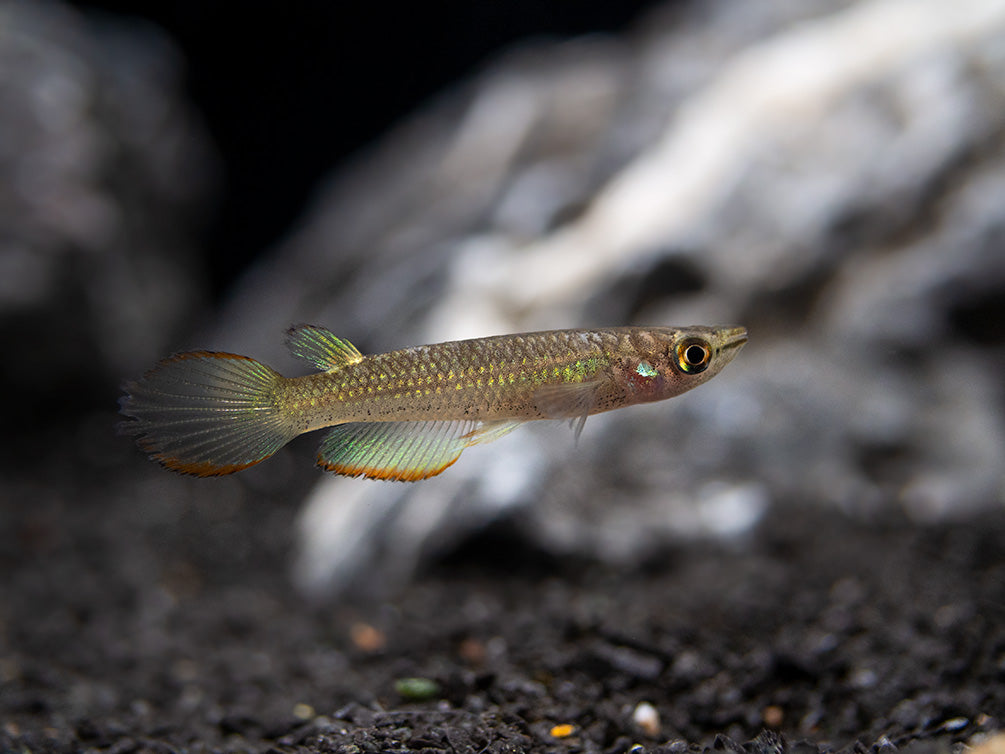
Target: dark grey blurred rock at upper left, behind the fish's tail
105, 173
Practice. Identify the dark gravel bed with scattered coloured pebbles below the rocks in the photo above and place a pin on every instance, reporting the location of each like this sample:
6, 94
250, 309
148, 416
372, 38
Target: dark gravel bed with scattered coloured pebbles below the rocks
137, 618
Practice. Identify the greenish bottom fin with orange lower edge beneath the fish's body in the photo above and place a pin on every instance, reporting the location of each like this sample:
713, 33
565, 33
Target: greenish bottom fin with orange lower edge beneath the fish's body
403, 451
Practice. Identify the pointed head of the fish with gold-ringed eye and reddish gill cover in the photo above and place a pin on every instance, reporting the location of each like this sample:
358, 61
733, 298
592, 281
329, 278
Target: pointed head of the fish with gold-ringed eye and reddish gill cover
665, 362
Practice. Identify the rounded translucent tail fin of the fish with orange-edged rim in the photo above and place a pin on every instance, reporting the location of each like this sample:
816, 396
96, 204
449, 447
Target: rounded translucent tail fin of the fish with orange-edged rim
208, 414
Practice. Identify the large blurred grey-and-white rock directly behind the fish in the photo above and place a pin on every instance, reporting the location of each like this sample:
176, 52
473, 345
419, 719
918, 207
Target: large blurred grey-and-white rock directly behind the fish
832, 175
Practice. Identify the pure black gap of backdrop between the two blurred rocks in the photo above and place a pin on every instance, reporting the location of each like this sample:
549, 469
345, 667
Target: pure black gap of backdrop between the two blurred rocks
291, 91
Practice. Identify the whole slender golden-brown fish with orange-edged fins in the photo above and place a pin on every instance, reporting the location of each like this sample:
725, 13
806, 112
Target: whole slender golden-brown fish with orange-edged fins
408, 415
